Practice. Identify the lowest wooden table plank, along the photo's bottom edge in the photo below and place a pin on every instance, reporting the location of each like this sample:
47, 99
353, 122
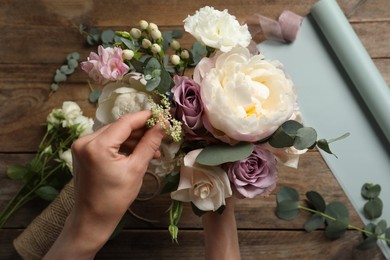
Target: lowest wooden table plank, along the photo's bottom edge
259, 244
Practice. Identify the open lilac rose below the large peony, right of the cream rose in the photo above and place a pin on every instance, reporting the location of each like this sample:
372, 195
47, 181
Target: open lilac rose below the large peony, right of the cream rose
255, 175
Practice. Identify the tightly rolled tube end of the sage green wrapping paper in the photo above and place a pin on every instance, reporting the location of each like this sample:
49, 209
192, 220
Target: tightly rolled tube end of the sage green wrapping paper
356, 61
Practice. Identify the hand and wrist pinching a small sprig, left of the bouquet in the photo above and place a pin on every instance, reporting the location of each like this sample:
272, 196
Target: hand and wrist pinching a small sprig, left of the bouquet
109, 166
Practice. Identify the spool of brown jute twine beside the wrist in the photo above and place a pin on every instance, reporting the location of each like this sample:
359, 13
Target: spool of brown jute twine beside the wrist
40, 235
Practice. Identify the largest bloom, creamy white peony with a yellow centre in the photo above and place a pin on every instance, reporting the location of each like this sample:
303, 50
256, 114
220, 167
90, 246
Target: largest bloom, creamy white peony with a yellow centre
245, 97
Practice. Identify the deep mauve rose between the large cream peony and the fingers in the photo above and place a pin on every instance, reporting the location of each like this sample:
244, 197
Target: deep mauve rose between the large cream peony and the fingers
189, 107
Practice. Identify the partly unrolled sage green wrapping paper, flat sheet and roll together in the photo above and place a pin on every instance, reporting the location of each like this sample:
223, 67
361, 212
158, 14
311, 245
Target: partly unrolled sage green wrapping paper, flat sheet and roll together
340, 90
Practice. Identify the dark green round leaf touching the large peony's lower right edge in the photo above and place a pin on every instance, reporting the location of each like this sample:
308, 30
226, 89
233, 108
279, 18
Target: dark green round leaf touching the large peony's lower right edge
285, 135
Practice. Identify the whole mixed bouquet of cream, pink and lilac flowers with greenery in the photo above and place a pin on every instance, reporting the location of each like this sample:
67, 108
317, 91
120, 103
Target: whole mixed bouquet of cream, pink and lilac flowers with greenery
230, 122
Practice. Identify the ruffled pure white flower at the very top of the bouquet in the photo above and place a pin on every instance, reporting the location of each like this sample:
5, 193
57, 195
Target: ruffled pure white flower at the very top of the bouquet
217, 29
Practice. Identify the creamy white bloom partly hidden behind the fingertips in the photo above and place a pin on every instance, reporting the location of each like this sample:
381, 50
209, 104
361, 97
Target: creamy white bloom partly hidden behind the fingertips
121, 97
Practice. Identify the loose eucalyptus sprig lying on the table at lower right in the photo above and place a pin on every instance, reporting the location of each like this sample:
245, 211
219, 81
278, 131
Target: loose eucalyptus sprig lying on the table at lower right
333, 216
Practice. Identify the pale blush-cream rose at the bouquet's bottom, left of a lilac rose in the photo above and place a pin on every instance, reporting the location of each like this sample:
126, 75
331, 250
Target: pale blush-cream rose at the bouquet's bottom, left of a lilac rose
205, 186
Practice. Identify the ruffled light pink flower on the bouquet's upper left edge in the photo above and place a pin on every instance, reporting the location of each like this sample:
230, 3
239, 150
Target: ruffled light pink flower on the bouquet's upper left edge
106, 65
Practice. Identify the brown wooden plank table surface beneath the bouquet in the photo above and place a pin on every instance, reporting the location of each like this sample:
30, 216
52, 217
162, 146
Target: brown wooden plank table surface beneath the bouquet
36, 35
